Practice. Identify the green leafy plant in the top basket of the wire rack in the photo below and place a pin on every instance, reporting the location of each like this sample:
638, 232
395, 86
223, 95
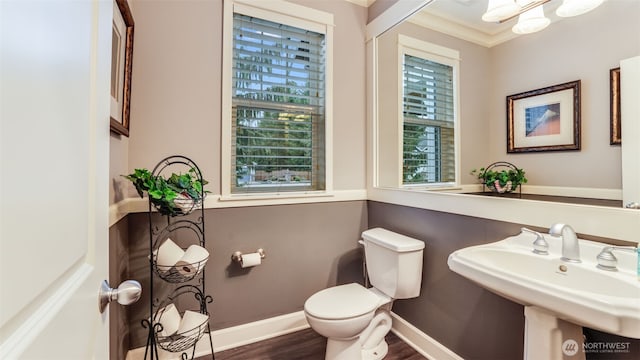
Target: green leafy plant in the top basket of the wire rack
177, 195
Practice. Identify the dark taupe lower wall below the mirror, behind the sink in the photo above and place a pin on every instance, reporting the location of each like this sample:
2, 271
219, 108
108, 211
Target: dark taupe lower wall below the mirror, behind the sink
474, 323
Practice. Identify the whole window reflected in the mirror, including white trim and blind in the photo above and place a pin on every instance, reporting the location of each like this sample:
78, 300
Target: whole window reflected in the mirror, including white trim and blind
429, 112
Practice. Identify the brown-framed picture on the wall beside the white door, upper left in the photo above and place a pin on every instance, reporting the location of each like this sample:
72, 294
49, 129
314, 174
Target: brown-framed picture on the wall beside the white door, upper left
121, 66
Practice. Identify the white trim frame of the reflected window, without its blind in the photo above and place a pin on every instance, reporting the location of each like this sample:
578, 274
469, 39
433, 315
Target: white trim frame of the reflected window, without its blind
446, 56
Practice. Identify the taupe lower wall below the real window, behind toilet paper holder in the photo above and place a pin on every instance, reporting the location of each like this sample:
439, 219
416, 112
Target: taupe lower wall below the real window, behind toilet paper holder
309, 247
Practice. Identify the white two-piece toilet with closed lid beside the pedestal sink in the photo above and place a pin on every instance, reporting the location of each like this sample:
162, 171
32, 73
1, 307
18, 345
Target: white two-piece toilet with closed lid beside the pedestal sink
355, 319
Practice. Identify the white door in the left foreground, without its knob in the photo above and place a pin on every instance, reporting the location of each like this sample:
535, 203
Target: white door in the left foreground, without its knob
54, 160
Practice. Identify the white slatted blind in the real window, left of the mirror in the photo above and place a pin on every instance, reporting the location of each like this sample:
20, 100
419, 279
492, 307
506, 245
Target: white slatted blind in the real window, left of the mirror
278, 107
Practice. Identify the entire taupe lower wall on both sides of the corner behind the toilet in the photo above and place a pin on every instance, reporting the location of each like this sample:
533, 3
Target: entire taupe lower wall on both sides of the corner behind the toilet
313, 246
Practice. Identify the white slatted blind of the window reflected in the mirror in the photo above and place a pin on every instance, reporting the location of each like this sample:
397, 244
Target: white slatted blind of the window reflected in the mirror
428, 122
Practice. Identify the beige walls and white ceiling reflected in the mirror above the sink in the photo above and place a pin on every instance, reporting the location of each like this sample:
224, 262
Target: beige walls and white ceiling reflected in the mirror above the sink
494, 64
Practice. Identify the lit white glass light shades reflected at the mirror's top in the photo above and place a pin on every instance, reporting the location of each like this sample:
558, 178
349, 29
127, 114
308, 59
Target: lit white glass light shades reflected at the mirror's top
531, 14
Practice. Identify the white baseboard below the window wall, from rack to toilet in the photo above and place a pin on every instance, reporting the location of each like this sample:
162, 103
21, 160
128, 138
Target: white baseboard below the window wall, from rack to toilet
235, 336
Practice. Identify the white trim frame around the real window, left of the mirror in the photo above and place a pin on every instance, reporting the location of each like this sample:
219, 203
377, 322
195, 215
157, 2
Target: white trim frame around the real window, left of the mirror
276, 11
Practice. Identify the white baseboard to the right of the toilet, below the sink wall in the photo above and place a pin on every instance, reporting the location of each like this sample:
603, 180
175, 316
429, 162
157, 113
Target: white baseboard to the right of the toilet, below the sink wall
421, 342
